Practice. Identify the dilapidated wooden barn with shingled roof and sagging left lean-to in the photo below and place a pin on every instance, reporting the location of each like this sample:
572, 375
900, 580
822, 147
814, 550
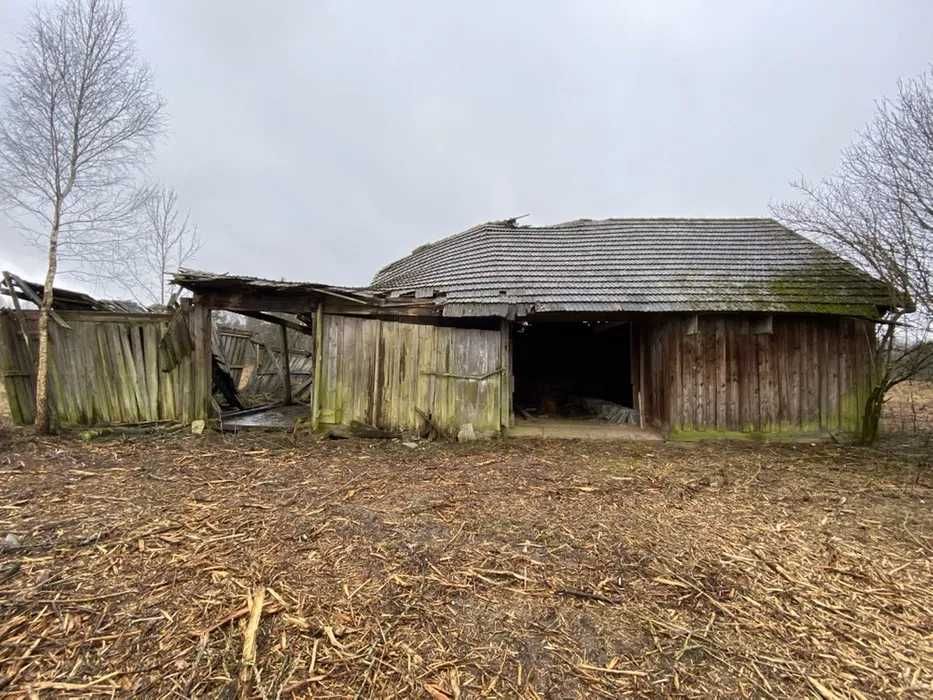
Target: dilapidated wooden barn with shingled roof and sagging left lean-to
689, 327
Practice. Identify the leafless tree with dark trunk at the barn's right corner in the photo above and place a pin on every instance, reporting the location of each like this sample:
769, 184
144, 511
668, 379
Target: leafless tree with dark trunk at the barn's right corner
877, 212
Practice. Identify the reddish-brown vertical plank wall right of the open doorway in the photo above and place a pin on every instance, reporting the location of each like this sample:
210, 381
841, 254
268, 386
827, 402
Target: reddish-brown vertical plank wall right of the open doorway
808, 375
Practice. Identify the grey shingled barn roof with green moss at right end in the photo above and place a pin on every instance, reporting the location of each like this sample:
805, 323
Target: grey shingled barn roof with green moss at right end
639, 265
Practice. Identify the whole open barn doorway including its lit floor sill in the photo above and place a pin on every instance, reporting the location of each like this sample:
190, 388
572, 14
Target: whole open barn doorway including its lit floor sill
574, 375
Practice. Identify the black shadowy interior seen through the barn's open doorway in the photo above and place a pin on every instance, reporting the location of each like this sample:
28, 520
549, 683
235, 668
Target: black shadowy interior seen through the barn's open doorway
557, 365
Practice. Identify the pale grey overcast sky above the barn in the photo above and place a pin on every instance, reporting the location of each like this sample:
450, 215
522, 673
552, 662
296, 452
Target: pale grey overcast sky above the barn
321, 140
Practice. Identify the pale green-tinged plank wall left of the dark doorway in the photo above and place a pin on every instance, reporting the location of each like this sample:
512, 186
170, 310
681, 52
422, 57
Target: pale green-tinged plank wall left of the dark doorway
379, 372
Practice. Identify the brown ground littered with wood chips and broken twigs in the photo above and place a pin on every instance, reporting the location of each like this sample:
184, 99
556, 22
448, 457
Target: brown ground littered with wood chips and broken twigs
510, 568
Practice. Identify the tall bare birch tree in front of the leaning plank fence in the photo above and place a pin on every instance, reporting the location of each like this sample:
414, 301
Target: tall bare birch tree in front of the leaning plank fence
79, 117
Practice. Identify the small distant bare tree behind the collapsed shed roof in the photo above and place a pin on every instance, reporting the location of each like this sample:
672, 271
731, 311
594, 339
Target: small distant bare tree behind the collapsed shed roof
167, 241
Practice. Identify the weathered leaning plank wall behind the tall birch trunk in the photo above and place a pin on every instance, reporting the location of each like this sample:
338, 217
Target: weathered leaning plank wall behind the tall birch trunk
106, 369
